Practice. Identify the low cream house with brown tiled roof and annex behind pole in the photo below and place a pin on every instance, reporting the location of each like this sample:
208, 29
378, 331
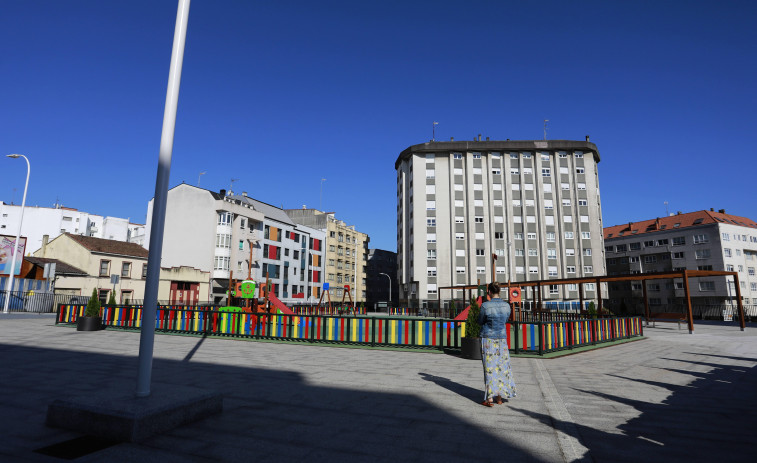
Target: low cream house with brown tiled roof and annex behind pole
84, 263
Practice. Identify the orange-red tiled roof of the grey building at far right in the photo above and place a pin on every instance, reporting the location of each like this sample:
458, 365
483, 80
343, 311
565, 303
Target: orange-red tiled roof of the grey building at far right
679, 220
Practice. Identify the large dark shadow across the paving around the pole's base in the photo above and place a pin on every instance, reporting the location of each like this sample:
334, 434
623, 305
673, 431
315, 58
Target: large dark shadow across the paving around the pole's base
269, 415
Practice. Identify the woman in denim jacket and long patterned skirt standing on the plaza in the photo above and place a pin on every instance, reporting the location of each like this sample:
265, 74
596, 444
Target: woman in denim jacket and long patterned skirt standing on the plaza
498, 378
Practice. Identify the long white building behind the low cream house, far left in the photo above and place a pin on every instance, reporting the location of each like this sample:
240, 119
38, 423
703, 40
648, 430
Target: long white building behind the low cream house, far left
53, 221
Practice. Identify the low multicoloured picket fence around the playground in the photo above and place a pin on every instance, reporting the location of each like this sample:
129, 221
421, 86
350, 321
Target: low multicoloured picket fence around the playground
531, 337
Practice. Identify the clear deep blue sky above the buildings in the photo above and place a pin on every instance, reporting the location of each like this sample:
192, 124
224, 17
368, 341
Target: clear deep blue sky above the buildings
280, 94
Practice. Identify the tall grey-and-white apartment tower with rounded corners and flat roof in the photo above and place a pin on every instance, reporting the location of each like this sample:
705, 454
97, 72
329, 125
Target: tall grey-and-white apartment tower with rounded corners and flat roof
535, 204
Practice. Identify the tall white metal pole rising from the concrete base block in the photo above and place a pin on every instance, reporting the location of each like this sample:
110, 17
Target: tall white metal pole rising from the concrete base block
147, 336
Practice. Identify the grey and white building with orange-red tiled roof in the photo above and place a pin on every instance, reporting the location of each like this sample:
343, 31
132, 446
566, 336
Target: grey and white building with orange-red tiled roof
702, 240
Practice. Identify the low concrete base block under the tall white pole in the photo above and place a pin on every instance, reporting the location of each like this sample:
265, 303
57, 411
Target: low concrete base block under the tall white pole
123, 417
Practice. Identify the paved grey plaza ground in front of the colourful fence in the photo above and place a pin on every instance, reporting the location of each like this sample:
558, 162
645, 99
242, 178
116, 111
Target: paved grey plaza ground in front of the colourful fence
670, 397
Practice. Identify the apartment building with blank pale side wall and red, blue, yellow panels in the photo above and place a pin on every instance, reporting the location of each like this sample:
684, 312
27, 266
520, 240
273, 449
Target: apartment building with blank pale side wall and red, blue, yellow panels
233, 236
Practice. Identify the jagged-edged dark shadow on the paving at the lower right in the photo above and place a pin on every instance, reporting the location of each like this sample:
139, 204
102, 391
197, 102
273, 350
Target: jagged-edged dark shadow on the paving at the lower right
710, 419
